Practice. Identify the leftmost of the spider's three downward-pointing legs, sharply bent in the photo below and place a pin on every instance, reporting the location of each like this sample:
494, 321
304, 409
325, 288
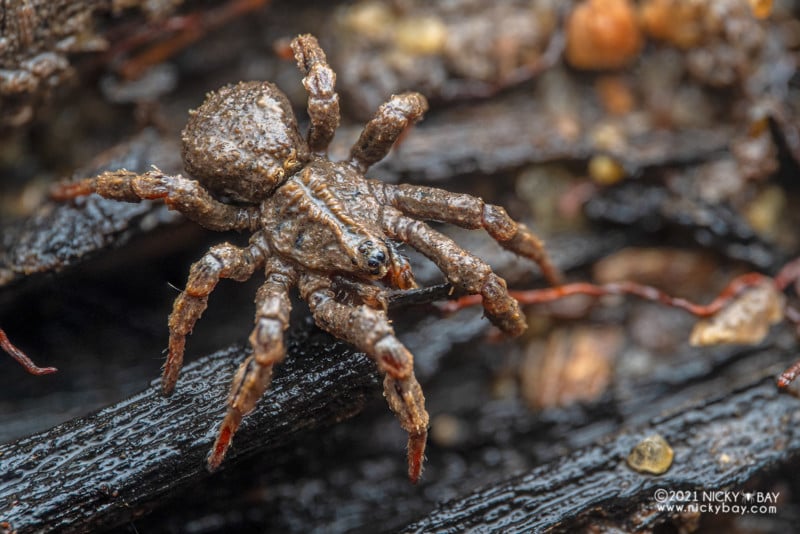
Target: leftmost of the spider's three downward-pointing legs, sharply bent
222, 261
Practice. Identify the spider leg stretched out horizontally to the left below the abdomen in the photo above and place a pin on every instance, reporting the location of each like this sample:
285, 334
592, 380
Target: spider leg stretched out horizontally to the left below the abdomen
182, 194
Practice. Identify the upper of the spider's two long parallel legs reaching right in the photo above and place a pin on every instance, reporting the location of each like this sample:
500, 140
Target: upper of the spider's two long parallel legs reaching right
469, 212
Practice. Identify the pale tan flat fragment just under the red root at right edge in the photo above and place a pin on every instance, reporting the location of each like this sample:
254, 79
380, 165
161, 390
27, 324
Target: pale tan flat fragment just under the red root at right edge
746, 319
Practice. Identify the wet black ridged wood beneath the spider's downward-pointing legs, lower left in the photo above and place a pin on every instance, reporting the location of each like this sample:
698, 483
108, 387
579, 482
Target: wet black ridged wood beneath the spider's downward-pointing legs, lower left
110, 466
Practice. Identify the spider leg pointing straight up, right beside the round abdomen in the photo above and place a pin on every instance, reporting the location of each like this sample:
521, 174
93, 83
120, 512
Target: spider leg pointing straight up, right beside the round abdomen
323, 102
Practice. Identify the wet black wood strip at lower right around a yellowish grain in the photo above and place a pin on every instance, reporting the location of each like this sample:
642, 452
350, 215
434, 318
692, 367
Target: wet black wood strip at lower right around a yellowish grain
757, 428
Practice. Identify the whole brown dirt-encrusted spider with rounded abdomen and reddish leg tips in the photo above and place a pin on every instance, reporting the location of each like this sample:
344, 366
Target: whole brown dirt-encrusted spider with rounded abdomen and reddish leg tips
317, 225
